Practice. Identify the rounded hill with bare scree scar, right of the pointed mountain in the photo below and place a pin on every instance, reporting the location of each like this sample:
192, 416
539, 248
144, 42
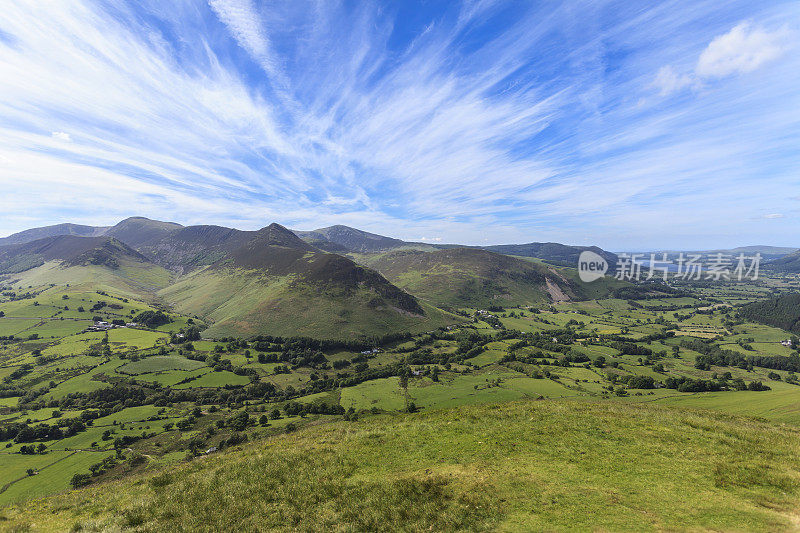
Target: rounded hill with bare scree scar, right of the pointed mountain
469, 277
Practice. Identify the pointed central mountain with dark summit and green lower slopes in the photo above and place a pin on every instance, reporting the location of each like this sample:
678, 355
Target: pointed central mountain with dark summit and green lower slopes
277, 284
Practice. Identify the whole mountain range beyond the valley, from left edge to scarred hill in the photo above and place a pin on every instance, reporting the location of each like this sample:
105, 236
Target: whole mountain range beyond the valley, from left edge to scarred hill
334, 282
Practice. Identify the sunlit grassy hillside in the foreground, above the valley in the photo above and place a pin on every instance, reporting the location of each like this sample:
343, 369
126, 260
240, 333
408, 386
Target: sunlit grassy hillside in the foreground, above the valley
521, 466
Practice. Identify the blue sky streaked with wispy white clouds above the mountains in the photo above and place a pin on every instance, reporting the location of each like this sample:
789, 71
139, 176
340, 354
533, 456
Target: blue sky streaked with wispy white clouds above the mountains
671, 124
